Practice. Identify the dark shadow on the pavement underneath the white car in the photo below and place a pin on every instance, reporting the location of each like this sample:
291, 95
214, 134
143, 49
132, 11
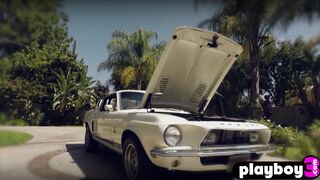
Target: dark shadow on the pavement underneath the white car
106, 164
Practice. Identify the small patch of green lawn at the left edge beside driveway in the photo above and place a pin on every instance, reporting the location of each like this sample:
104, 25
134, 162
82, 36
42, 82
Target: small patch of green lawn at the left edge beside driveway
13, 138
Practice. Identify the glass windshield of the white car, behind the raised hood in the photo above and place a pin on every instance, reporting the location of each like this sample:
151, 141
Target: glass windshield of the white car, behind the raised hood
131, 100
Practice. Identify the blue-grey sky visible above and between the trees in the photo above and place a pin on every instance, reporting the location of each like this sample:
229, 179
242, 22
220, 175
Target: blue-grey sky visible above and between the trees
91, 23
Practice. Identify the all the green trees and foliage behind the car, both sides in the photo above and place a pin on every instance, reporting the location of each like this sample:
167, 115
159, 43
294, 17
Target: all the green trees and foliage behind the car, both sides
43, 82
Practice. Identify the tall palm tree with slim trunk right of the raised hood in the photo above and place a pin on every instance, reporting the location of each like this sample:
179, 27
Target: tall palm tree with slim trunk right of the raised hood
250, 22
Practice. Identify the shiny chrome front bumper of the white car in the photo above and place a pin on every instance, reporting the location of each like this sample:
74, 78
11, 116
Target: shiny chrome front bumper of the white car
186, 151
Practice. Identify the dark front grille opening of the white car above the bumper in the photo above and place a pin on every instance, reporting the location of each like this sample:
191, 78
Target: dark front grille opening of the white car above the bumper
228, 137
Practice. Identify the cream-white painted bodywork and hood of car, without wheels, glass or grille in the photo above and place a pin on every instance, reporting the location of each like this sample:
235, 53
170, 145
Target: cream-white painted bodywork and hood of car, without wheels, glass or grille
110, 127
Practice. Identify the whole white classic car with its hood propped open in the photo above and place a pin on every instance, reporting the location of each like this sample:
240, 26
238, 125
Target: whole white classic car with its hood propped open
164, 126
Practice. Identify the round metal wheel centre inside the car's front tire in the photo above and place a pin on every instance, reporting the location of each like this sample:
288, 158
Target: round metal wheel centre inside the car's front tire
131, 161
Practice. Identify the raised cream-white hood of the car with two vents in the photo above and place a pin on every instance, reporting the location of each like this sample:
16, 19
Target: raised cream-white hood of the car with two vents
190, 70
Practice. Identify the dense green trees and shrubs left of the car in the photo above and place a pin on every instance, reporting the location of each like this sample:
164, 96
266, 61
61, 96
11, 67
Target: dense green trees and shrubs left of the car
36, 50
